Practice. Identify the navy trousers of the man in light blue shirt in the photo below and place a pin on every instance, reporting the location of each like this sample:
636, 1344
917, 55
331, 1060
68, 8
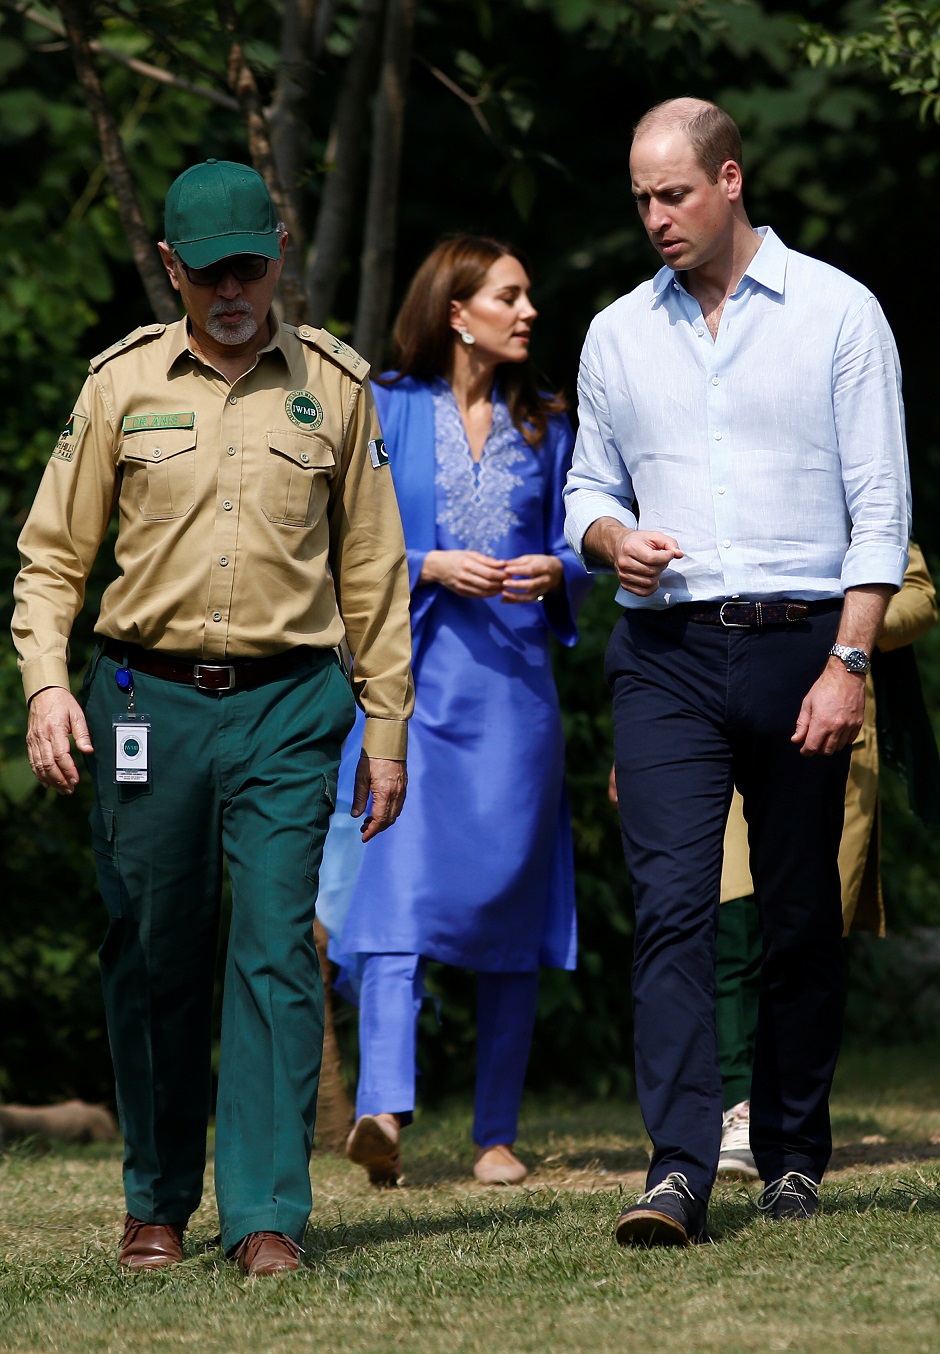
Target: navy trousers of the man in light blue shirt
698, 709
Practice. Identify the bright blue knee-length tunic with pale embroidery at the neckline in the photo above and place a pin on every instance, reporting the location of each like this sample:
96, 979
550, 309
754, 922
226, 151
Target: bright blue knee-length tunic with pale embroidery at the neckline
479, 870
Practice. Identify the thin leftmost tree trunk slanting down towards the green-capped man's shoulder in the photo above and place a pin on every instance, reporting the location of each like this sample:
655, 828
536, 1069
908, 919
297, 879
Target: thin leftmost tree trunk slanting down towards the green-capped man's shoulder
161, 294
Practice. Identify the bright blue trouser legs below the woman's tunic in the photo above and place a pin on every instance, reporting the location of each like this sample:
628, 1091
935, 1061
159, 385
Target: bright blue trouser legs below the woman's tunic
389, 1005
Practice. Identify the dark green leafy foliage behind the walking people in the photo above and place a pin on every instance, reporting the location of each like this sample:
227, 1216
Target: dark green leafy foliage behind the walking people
836, 162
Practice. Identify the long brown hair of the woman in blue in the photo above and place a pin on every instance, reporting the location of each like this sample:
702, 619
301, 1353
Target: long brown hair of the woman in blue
423, 339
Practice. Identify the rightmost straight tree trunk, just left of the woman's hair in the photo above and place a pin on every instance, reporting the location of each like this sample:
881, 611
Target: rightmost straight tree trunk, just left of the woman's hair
383, 205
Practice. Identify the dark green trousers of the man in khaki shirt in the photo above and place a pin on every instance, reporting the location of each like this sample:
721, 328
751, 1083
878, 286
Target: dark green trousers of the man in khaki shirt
254, 774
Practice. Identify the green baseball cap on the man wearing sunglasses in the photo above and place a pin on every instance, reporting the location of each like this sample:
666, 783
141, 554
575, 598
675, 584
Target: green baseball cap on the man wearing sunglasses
220, 209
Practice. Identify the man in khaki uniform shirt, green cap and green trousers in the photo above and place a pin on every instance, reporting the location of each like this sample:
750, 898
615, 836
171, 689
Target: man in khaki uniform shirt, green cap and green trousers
258, 527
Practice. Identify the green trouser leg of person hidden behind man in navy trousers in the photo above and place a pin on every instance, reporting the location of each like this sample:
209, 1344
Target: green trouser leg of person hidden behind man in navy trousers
739, 953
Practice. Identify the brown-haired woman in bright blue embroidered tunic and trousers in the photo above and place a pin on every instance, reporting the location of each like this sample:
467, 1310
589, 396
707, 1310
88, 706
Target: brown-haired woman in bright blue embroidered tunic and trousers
479, 871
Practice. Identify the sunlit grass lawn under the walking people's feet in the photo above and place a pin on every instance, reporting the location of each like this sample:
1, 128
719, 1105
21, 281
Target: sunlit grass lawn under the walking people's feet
445, 1265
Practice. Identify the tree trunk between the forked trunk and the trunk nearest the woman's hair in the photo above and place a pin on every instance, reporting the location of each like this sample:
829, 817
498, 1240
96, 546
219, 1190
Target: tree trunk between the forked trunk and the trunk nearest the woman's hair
343, 162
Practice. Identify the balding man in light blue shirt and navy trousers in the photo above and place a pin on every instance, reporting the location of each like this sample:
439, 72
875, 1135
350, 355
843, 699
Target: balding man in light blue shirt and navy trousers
742, 468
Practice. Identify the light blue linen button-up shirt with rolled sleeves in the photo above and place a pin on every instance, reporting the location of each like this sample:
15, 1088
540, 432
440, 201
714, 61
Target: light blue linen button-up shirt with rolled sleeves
775, 456
